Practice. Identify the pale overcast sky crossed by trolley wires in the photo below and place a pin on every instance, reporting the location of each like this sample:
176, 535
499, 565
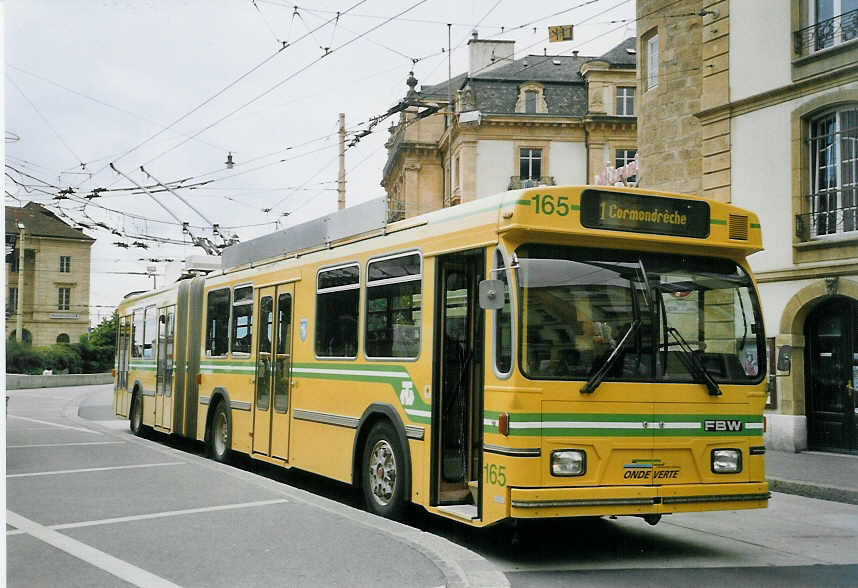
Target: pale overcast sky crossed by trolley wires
177, 85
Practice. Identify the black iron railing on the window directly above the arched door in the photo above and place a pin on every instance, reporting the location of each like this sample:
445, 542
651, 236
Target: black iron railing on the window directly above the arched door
833, 215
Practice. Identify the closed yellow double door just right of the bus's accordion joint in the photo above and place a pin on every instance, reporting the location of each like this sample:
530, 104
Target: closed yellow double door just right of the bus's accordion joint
273, 372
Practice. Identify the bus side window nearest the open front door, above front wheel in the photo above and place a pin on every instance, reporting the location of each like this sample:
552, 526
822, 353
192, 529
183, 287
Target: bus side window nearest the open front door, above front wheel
393, 307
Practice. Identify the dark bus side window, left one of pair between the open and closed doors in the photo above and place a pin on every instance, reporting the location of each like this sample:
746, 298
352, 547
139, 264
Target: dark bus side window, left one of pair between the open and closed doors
337, 300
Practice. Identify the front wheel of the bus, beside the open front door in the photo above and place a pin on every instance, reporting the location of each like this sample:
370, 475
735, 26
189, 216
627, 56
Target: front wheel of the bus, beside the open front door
383, 472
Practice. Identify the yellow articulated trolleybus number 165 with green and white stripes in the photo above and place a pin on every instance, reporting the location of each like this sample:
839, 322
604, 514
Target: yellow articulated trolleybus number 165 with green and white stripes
550, 352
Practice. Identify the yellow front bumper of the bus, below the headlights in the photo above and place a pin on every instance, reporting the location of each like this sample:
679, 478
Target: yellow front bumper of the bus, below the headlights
635, 500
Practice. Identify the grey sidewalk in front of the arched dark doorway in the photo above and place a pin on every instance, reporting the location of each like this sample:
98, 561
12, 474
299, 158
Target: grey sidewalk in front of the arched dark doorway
828, 476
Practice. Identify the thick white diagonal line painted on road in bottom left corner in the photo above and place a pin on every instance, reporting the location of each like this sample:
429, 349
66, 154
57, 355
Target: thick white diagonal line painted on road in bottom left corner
112, 565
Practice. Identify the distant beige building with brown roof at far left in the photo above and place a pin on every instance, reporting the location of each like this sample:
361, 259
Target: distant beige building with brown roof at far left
55, 294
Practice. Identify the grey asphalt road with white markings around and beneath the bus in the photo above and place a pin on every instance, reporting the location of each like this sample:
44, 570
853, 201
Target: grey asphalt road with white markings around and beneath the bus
91, 505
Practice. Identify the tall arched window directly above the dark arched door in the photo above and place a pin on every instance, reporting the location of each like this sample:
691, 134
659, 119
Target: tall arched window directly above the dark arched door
833, 149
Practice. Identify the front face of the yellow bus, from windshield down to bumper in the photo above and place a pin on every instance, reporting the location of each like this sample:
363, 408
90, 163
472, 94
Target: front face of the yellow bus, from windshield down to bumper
642, 388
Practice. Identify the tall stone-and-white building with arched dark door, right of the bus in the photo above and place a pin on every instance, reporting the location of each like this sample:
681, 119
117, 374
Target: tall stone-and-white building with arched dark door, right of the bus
756, 103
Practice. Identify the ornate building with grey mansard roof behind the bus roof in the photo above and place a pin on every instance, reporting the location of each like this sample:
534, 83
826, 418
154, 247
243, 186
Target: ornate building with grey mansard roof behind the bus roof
535, 120
